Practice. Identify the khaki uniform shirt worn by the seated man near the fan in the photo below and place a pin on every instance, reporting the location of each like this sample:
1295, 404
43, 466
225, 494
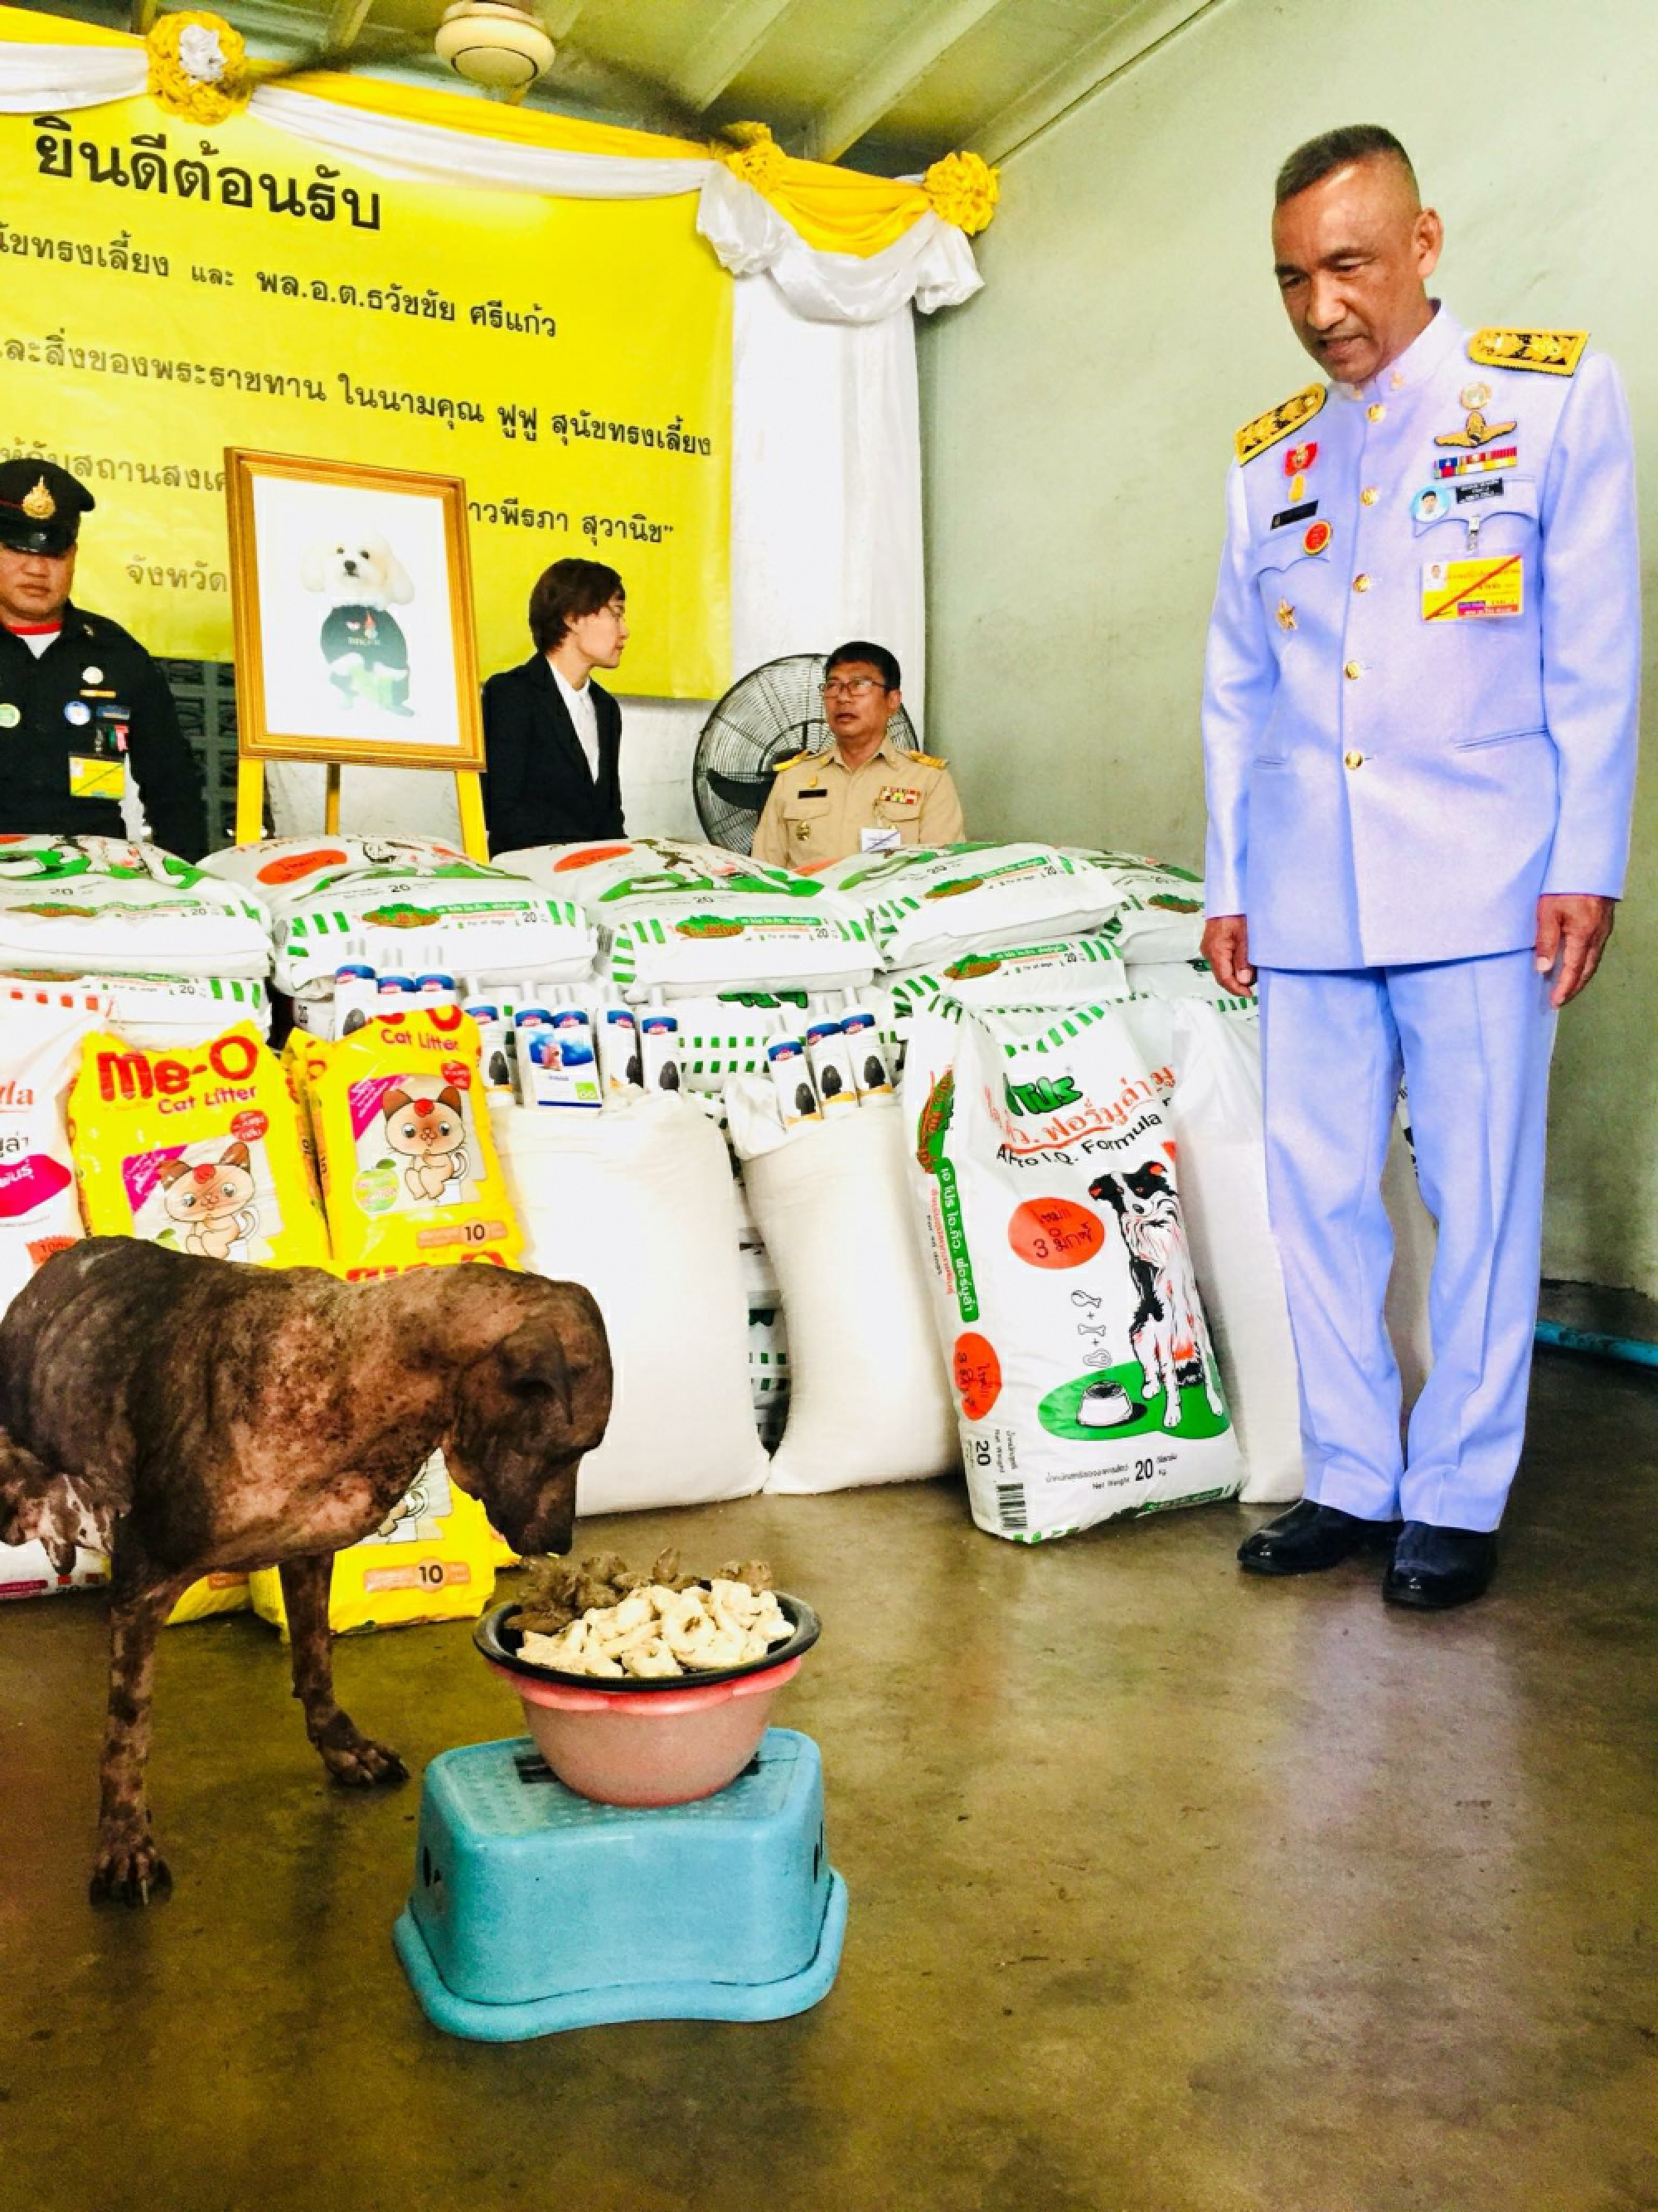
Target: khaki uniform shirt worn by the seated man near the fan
819, 808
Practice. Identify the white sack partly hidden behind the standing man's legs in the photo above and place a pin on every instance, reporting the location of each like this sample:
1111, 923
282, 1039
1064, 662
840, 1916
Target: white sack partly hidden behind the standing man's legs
1217, 1109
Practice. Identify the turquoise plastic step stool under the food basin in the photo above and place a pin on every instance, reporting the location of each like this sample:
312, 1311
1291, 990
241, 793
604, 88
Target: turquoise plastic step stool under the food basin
536, 1910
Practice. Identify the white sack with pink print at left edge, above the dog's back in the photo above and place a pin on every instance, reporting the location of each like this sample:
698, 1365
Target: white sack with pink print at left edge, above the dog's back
39, 1061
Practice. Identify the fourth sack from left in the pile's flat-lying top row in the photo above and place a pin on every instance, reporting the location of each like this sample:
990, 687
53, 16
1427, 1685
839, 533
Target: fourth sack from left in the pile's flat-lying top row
936, 901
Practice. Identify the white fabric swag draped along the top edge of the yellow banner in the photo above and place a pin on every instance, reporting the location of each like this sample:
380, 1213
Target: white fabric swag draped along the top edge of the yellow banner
930, 267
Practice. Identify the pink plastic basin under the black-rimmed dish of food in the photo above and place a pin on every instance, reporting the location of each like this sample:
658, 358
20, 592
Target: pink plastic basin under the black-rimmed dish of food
649, 1751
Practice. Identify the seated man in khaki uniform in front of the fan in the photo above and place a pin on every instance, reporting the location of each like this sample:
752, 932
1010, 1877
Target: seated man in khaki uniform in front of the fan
861, 795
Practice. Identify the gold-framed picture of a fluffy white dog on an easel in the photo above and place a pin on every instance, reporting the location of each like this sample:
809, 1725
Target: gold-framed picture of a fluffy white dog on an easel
355, 616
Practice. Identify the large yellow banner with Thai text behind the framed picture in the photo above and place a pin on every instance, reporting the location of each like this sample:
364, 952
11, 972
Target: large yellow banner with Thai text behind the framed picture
169, 291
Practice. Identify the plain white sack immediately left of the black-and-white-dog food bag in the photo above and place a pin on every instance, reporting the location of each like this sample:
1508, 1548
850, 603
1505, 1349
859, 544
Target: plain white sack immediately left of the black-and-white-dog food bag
868, 1390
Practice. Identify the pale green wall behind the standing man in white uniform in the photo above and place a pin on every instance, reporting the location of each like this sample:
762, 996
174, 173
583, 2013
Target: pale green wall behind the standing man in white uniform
1080, 415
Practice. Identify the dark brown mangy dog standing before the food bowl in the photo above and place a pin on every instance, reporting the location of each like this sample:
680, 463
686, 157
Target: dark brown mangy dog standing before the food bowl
193, 1415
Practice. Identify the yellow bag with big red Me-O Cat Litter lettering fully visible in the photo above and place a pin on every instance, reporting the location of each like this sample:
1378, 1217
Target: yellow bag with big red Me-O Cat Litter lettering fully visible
198, 1151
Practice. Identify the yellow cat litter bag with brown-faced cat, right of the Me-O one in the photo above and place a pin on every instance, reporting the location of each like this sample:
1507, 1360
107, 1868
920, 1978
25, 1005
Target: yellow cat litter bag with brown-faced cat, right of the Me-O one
410, 1173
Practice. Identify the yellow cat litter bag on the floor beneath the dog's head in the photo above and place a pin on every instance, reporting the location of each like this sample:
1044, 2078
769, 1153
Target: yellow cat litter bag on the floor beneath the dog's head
430, 1561
